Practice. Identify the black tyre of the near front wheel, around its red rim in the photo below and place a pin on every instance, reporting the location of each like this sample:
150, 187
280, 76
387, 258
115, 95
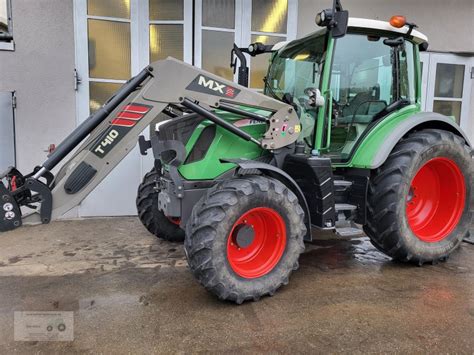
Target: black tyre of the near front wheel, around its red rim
209, 229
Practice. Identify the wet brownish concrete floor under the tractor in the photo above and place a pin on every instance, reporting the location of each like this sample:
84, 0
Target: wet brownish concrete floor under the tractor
132, 293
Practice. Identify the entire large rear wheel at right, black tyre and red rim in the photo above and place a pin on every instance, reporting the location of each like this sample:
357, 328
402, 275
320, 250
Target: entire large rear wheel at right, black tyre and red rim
419, 200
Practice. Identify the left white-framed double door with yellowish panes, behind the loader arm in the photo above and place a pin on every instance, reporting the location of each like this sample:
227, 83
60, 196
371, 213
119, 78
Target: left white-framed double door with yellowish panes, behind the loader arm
114, 41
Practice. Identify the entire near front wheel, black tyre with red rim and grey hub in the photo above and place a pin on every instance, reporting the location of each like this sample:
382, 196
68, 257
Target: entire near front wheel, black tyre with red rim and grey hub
244, 238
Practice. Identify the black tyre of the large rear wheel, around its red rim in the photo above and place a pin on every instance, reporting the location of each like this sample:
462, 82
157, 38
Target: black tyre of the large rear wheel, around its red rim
390, 191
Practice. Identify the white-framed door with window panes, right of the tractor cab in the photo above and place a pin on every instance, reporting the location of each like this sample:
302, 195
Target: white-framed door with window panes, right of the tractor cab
449, 87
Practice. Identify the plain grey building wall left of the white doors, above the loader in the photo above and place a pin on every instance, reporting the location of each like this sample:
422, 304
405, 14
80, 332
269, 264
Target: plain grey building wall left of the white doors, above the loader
40, 70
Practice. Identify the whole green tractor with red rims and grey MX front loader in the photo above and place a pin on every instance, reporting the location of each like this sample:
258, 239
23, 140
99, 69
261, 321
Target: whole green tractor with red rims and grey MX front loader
336, 140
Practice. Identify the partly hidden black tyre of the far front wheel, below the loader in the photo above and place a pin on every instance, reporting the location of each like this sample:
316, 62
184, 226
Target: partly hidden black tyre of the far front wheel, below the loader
152, 218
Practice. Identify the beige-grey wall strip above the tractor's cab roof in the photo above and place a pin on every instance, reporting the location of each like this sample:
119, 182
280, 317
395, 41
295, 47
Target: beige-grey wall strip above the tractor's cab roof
449, 24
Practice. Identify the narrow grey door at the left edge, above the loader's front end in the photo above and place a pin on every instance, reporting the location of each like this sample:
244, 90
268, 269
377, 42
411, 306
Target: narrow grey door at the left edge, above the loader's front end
7, 133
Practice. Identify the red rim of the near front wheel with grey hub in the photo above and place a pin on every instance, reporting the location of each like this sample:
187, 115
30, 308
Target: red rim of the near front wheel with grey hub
265, 250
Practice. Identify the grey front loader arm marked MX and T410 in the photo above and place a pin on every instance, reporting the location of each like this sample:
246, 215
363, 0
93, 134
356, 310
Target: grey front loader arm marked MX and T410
108, 135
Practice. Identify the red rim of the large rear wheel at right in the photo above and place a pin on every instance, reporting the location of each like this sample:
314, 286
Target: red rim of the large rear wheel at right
436, 200
